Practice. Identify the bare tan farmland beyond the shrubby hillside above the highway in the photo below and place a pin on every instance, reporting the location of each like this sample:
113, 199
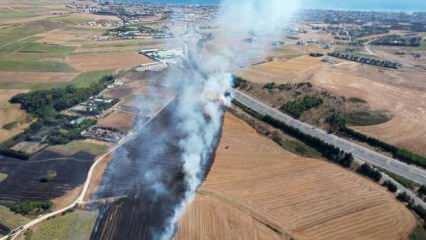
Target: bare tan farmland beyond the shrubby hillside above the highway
401, 92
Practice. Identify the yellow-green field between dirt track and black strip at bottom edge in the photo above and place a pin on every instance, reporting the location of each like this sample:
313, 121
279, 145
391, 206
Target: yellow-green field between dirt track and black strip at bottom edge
76, 225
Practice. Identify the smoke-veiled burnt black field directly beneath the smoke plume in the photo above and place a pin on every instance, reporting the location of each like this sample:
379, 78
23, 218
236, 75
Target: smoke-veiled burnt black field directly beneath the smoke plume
148, 170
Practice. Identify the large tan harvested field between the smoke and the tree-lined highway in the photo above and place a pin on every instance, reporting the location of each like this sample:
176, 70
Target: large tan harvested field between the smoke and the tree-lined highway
256, 190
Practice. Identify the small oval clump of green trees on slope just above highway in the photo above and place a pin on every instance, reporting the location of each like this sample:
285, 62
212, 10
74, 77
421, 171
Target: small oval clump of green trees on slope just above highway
297, 107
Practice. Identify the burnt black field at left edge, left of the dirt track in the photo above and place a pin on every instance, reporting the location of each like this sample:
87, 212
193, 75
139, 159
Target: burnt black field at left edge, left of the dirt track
24, 181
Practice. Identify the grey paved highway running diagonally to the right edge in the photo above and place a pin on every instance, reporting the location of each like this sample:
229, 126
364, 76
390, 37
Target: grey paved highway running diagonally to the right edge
411, 172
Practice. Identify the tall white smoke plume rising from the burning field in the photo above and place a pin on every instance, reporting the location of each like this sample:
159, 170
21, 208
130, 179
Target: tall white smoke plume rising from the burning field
204, 89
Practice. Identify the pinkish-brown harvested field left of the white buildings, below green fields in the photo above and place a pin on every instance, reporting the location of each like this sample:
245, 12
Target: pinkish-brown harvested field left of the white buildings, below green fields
102, 61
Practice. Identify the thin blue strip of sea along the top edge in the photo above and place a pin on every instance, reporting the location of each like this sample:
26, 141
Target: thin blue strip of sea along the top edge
406, 5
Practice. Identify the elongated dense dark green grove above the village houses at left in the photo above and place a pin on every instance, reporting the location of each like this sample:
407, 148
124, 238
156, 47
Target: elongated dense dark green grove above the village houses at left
44, 103
